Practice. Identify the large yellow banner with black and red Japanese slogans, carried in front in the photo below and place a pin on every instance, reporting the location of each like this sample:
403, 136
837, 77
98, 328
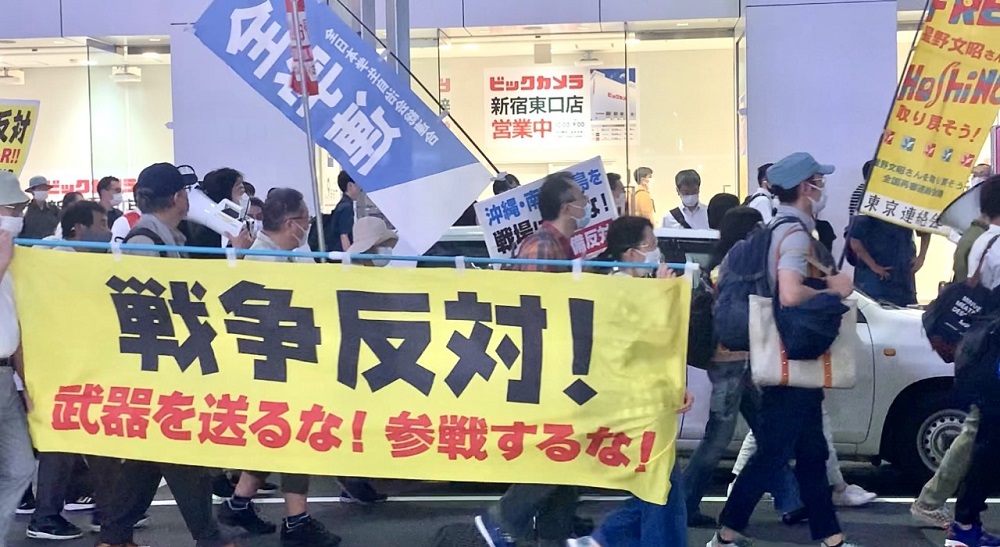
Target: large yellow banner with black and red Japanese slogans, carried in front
374, 372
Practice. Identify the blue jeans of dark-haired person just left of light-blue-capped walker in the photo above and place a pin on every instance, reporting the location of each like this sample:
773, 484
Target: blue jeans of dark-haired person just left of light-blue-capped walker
733, 393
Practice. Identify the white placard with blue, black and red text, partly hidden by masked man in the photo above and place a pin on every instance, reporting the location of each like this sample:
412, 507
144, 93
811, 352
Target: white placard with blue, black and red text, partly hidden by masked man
509, 218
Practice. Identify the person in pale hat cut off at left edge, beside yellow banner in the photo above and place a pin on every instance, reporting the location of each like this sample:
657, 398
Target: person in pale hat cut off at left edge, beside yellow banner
15, 450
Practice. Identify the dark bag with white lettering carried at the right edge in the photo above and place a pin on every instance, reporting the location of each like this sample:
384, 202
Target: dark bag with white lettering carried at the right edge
949, 316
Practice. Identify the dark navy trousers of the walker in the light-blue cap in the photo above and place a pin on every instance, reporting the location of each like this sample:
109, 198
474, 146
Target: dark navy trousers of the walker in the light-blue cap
791, 426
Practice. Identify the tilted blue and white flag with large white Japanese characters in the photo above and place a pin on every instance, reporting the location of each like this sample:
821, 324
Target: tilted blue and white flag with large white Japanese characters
396, 148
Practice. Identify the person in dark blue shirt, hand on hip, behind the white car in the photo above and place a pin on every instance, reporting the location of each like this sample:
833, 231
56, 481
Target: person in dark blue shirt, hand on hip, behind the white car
887, 260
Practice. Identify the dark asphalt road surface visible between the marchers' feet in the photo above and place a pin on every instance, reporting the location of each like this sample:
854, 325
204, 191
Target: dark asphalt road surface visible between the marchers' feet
418, 509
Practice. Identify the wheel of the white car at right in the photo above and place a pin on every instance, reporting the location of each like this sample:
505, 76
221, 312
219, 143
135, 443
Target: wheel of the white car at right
926, 432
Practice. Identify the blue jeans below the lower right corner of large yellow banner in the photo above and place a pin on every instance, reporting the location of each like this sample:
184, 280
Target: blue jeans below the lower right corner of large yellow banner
639, 523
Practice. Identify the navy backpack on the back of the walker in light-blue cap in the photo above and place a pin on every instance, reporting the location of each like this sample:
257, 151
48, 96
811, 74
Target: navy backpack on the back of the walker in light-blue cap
744, 273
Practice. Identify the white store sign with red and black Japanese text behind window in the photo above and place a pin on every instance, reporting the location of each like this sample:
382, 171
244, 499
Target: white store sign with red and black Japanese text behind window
531, 106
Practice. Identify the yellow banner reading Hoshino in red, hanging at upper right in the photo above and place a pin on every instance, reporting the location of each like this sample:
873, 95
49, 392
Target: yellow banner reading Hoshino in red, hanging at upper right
947, 101
